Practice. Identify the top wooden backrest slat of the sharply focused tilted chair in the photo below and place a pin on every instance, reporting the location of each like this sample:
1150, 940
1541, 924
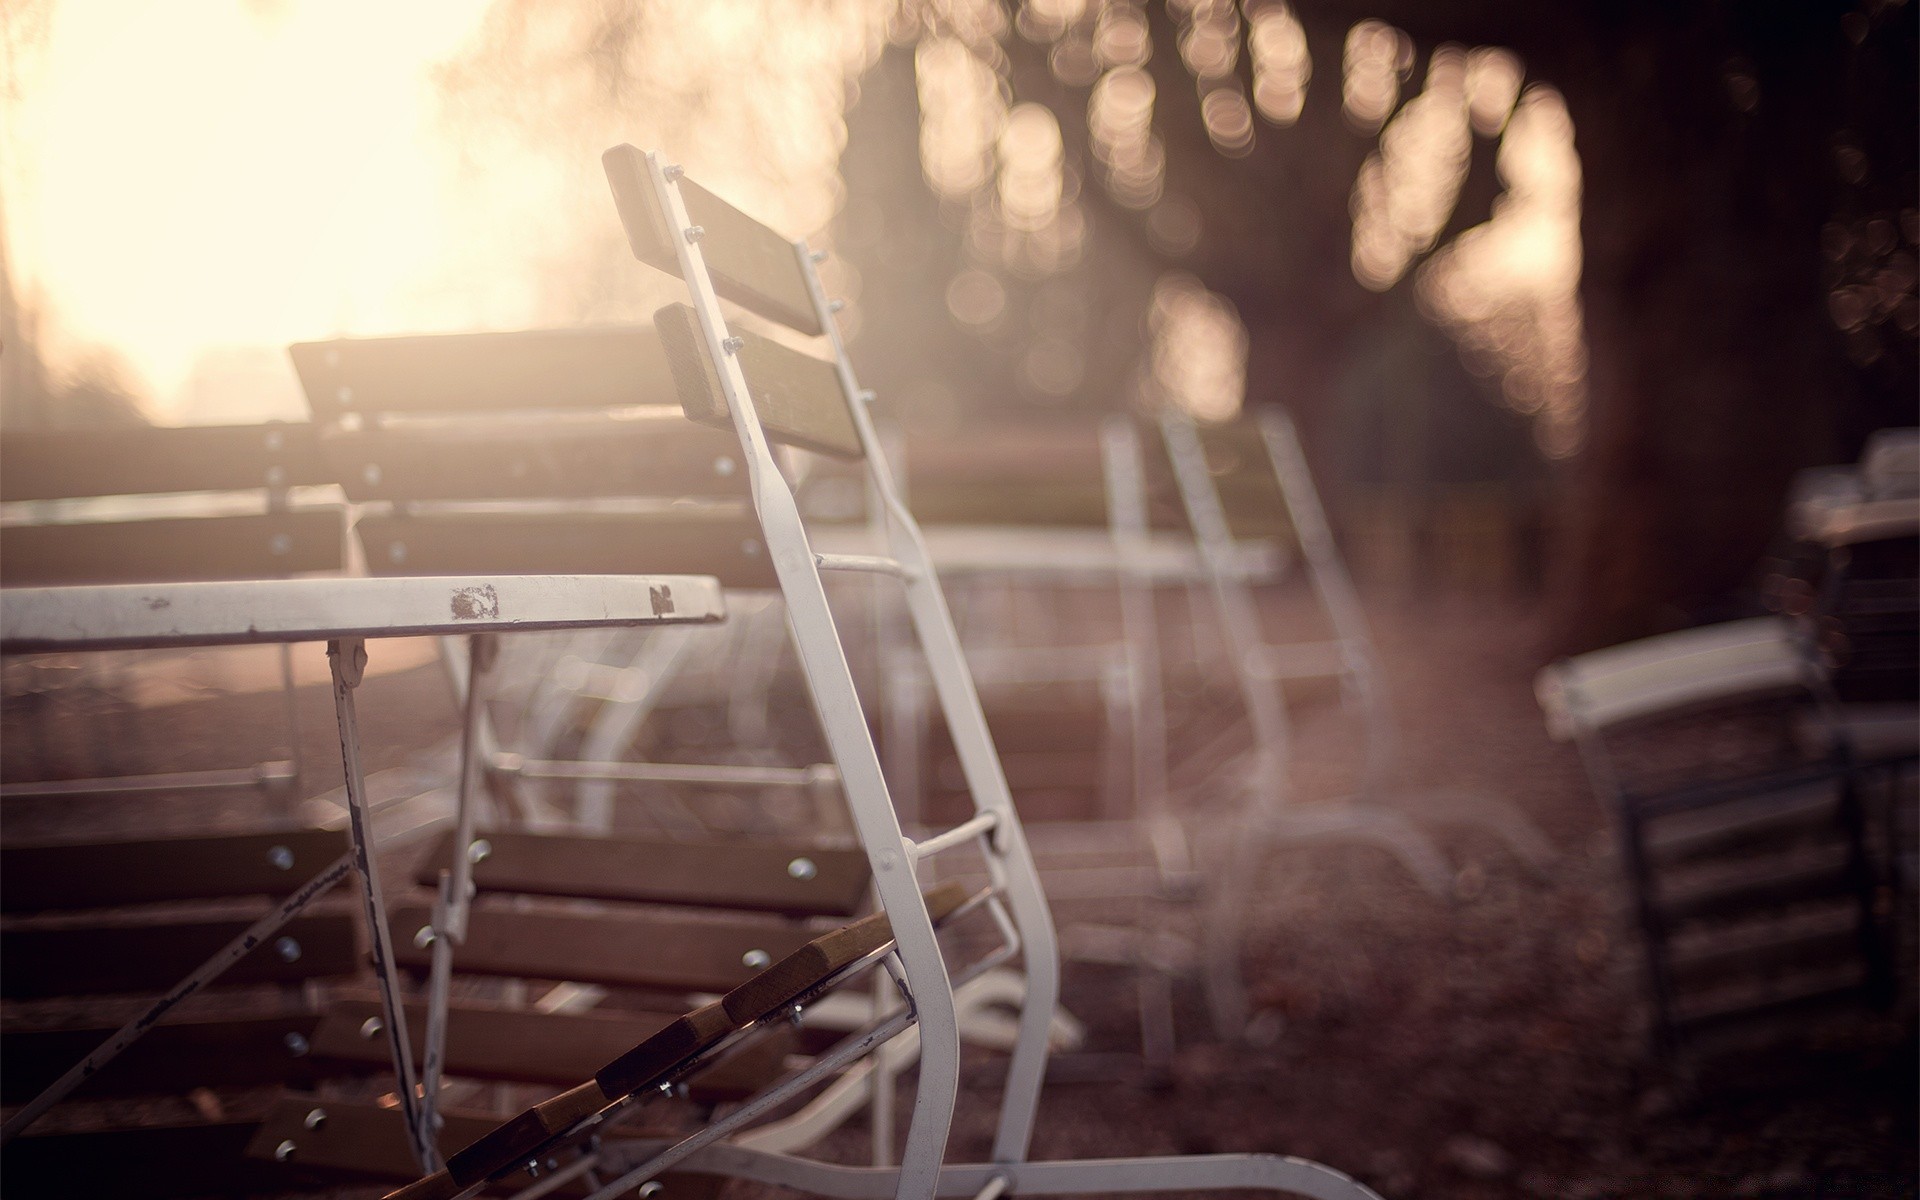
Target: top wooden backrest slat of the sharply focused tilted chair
750, 264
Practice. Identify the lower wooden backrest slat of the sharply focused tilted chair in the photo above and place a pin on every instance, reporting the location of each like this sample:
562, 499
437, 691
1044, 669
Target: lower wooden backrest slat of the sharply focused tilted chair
798, 396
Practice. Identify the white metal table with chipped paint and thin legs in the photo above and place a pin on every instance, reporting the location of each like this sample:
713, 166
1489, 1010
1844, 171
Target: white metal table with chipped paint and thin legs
343, 613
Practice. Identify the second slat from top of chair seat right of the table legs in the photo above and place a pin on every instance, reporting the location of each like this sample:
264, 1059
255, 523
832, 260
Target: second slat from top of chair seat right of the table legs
654, 951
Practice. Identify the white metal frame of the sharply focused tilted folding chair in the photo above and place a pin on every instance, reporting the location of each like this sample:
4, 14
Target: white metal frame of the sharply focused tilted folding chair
656, 203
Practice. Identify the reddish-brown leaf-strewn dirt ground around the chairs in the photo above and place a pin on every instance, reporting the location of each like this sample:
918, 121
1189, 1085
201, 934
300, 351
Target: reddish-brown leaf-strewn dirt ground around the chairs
1487, 1045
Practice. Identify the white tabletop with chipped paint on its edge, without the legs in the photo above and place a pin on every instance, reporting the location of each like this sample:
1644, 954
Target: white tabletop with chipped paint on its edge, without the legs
324, 610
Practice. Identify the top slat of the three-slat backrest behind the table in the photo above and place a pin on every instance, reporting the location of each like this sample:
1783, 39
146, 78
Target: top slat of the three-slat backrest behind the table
475, 373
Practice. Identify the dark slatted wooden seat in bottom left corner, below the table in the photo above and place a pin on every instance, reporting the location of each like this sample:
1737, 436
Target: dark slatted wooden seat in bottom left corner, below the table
95, 930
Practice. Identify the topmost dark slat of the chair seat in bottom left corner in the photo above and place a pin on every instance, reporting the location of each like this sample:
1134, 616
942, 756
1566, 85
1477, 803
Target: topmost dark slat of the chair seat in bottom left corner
103, 875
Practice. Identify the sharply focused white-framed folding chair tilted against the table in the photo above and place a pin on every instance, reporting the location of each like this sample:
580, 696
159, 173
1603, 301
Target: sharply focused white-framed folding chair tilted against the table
769, 393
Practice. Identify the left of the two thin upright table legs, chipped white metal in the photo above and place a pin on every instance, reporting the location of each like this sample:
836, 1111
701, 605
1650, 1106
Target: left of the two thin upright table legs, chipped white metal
348, 661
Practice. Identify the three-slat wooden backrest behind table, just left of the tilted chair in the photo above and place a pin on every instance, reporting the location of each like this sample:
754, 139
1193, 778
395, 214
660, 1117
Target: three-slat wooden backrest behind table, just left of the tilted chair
544, 452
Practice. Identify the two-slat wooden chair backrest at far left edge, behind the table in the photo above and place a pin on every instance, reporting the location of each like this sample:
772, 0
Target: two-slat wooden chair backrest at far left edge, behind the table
156, 504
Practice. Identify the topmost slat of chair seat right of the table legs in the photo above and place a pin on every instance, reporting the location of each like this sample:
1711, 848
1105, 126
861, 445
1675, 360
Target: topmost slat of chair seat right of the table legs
719, 875
